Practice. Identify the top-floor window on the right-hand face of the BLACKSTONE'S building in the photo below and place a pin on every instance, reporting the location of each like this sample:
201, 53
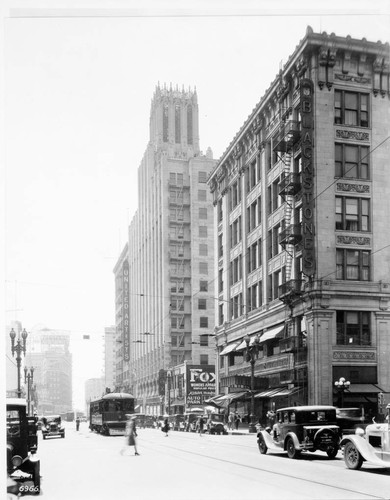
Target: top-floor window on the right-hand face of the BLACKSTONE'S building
351, 108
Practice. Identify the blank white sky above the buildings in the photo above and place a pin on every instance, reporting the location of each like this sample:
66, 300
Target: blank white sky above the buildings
78, 80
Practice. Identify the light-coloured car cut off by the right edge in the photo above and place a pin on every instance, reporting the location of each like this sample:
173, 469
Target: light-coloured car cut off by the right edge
371, 445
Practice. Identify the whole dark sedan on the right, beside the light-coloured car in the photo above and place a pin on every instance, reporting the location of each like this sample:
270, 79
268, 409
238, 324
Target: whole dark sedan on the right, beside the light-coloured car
302, 428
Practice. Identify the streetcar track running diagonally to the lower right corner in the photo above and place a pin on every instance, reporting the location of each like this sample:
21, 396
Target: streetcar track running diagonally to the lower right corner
260, 469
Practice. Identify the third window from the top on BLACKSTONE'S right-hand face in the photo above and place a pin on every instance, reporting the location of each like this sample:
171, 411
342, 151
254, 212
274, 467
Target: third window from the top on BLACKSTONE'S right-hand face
352, 214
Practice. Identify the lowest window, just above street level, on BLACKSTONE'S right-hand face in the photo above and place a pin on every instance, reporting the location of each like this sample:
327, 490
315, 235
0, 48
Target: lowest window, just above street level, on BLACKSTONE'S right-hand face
353, 328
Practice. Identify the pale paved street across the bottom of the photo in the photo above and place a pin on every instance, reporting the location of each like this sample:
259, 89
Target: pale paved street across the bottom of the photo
186, 466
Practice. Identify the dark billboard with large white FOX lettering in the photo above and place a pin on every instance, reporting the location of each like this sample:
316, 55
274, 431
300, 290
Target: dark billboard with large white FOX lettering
200, 384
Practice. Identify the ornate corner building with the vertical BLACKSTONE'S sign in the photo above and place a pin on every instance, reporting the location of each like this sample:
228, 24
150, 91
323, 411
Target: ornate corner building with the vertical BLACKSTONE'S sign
302, 207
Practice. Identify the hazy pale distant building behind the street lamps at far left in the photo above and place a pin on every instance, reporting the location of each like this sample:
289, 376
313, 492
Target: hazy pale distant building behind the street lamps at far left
48, 352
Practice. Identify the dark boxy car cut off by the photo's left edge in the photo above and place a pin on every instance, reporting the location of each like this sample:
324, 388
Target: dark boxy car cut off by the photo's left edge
22, 444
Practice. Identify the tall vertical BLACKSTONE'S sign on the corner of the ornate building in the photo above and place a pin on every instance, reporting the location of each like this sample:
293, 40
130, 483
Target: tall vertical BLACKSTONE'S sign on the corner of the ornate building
307, 114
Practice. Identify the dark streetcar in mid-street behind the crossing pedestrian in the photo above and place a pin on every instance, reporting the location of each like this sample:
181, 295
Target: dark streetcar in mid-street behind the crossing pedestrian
107, 415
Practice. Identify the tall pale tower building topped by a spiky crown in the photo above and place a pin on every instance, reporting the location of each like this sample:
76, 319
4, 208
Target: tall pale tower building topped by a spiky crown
166, 286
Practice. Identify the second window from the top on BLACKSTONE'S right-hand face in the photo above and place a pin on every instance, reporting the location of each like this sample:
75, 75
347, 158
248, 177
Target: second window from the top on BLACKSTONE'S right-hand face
352, 161
